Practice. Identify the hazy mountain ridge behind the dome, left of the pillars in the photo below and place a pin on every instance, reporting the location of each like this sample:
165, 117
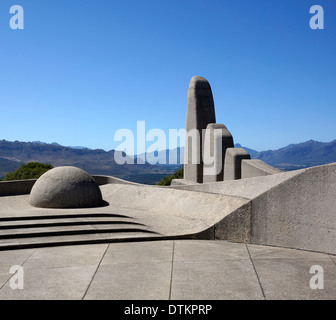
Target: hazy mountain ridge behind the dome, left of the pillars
13, 154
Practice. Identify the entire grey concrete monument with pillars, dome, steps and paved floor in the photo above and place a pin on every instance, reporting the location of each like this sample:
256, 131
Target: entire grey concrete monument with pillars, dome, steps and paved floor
139, 237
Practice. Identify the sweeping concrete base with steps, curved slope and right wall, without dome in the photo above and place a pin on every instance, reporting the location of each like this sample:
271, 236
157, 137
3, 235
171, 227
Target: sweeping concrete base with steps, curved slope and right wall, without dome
292, 209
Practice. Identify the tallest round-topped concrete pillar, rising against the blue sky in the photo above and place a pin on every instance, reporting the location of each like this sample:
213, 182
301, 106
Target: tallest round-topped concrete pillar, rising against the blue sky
200, 112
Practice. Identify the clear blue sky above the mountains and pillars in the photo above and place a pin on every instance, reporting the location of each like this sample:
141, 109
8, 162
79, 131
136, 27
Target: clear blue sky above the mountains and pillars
80, 70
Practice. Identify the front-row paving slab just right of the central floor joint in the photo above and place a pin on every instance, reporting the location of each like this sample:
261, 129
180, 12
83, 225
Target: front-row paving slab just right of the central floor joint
225, 279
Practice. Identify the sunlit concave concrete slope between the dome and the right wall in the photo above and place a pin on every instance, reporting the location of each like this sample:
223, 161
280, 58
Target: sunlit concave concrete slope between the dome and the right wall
174, 212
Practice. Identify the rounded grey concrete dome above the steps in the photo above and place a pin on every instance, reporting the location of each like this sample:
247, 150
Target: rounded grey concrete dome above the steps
65, 187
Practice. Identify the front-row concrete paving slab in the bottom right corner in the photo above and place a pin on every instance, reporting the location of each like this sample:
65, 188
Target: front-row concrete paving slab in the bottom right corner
289, 279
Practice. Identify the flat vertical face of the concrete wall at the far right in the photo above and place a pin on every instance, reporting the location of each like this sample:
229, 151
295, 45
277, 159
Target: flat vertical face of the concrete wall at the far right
298, 213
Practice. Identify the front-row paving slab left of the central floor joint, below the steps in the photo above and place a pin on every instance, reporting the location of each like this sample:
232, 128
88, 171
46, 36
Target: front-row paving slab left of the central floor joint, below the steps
131, 281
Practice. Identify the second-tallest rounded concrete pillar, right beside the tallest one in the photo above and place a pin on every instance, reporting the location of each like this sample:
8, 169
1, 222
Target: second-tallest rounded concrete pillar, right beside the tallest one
216, 140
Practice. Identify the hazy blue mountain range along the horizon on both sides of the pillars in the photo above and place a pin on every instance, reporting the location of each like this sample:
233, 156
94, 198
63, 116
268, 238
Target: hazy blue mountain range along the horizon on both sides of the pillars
98, 161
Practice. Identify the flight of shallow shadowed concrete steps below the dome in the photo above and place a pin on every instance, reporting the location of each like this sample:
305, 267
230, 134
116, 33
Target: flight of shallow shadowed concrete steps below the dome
36, 230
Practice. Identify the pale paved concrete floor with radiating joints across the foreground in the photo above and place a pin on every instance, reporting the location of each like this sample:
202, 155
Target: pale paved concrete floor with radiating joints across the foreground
180, 269
